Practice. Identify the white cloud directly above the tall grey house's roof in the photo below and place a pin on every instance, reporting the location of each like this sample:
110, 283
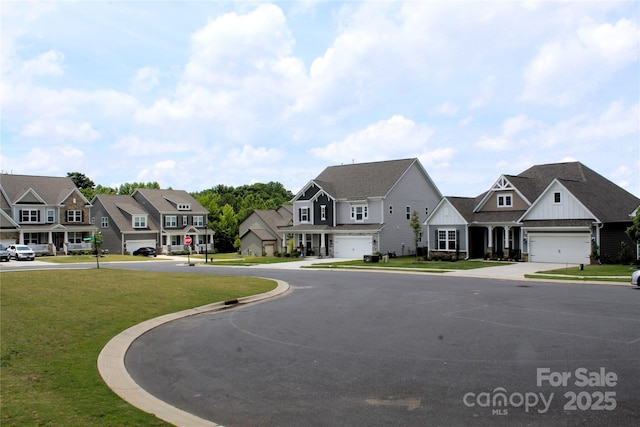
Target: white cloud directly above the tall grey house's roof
392, 138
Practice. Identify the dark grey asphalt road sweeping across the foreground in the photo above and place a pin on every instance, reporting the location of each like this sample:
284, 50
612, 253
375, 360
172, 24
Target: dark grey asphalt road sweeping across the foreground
367, 349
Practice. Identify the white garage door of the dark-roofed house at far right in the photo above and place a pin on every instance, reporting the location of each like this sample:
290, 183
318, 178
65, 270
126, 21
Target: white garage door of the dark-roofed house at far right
571, 248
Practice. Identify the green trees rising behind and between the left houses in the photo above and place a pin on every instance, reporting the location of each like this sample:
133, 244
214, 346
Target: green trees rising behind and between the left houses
227, 206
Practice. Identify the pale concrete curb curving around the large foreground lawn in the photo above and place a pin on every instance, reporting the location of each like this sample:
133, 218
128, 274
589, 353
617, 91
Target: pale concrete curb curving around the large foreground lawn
114, 372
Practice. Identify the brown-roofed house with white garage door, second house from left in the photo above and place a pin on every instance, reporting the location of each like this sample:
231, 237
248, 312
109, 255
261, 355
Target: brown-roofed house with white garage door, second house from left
124, 224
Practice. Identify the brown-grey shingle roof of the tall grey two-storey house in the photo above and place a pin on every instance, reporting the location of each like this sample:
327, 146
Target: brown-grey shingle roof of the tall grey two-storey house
362, 180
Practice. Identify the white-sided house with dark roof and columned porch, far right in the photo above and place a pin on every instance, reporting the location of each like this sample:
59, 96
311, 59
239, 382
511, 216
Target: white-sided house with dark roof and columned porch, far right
562, 212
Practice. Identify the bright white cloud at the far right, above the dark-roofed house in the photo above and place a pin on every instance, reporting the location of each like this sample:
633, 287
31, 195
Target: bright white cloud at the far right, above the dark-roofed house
565, 71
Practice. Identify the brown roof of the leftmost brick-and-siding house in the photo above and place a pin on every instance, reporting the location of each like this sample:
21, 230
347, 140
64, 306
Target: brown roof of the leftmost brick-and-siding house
51, 190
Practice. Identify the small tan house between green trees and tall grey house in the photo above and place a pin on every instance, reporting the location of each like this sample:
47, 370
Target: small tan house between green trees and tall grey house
259, 234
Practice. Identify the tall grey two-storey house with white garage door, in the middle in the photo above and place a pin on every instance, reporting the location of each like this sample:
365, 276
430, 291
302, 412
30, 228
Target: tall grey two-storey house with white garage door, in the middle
353, 210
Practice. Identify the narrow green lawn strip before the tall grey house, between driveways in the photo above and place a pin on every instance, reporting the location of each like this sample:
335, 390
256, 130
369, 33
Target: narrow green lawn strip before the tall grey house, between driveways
412, 263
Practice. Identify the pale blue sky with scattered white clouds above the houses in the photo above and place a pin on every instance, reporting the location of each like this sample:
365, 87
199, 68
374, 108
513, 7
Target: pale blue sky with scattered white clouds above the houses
192, 94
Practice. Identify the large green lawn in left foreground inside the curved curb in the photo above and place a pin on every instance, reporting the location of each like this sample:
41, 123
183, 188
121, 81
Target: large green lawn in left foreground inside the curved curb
54, 325
